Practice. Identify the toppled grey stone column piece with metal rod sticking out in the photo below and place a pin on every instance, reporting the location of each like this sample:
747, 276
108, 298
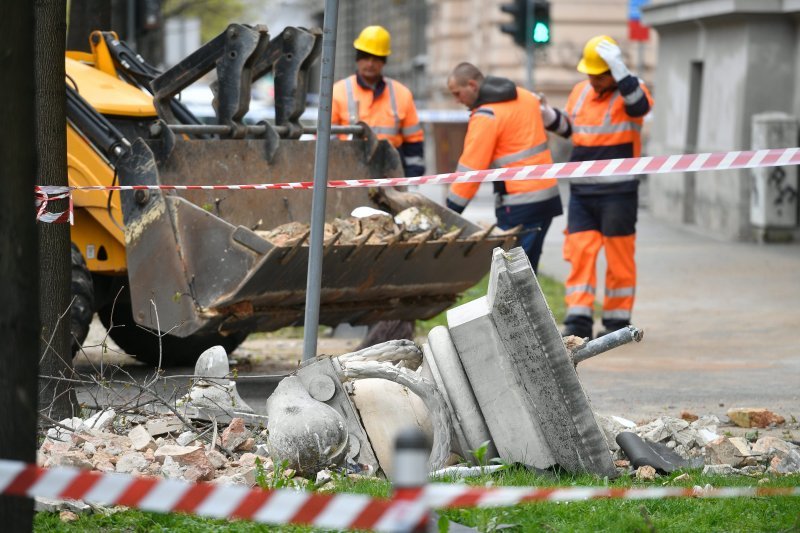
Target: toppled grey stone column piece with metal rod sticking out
500, 374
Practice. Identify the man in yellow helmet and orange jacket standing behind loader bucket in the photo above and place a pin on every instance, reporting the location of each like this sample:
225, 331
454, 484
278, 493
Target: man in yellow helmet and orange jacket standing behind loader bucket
384, 104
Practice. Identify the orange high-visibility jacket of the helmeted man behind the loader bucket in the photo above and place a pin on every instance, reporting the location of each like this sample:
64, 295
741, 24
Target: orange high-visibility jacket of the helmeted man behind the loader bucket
392, 115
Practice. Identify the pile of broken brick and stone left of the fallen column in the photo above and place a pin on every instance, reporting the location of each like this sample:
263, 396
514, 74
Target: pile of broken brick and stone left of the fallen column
161, 446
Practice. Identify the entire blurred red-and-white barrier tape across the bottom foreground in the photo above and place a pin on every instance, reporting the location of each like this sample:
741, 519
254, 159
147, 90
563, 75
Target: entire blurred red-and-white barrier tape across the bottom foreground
338, 511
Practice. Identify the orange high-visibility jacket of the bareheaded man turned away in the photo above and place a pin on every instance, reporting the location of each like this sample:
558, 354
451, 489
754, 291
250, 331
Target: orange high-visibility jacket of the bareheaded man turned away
502, 135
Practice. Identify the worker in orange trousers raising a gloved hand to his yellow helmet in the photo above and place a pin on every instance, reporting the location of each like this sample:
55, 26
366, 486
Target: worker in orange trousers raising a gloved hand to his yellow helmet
604, 116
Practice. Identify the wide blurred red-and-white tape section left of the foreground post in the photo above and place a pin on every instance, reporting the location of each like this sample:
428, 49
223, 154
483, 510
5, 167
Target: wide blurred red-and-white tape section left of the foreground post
335, 511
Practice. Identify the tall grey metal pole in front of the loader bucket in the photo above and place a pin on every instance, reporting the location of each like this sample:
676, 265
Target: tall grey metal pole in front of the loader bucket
314, 283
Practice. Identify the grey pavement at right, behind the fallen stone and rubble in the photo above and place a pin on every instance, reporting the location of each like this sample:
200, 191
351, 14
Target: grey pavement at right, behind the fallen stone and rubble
721, 321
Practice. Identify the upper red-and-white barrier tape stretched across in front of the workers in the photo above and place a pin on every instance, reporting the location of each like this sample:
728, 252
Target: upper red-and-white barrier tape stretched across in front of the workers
579, 169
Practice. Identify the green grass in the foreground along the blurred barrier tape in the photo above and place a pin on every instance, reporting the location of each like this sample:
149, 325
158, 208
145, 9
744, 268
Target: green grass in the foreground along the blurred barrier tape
736, 514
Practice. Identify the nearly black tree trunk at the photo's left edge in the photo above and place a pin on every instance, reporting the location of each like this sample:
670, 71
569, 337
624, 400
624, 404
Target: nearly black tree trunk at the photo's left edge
19, 312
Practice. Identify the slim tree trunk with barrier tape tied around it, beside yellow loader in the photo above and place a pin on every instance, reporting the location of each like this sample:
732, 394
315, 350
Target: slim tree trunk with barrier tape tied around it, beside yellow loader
56, 398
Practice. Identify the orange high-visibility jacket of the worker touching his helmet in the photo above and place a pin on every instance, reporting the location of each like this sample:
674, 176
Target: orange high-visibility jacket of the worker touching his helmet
602, 129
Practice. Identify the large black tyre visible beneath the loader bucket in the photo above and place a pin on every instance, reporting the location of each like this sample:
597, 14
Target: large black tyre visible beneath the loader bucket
143, 343
